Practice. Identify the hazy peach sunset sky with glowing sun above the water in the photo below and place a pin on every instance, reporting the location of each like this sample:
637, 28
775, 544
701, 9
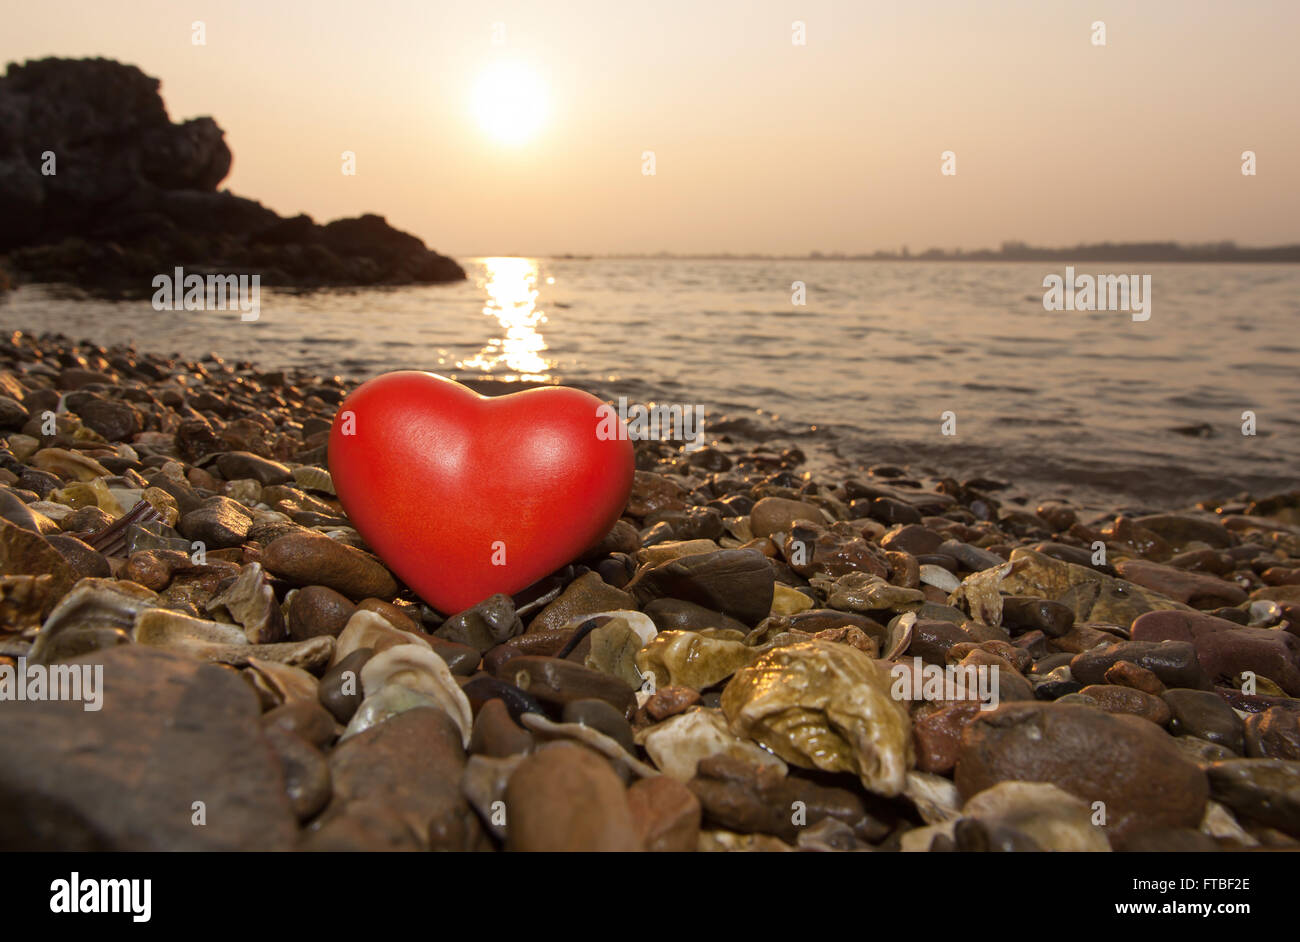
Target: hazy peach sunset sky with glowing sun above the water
761, 146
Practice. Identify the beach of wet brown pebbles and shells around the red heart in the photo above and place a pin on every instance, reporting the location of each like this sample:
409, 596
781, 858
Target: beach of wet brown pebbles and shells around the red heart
722, 672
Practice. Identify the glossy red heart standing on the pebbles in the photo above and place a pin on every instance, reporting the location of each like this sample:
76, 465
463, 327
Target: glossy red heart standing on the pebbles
445, 484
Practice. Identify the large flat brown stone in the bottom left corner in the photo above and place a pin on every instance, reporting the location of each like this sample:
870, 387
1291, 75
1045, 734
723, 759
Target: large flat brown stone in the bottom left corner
172, 732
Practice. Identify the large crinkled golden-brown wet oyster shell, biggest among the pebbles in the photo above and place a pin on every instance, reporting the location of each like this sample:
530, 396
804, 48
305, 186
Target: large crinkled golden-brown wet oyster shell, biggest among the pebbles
827, 706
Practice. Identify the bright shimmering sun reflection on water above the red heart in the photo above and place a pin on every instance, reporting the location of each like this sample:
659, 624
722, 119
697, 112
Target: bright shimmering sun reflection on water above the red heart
512, 286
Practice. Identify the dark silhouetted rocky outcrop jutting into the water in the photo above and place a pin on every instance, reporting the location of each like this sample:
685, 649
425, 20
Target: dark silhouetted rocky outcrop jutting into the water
101, 189
